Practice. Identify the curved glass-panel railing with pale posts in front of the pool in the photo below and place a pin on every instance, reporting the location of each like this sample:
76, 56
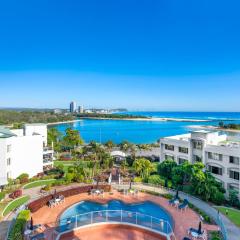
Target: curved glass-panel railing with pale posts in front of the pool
151, 223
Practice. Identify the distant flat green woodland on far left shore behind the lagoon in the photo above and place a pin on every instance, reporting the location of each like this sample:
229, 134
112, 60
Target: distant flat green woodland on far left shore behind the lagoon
17, 118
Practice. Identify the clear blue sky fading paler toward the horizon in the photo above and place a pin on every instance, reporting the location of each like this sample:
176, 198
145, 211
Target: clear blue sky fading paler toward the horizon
152, 54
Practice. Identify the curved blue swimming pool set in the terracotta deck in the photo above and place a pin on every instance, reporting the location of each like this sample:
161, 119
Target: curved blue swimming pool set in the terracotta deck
147, 214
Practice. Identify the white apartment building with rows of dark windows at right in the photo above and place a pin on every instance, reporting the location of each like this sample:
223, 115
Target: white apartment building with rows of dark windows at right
219, 153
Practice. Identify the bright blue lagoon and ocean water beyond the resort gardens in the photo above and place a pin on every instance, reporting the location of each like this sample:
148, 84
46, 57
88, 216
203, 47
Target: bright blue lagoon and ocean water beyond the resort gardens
145, 131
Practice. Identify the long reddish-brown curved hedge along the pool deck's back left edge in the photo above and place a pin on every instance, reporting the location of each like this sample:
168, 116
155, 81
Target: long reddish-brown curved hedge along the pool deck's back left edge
39, 203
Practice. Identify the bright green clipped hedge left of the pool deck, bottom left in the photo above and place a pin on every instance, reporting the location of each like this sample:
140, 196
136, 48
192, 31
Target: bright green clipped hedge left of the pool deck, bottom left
16, 232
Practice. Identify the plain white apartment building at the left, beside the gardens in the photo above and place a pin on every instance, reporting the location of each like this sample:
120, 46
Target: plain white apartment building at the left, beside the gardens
24, 151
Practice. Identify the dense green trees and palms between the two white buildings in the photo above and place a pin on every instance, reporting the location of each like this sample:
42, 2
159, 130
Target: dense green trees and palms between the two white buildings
94, 160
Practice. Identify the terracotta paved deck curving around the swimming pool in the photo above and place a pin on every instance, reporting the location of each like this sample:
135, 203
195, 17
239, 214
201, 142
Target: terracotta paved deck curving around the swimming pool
183, 220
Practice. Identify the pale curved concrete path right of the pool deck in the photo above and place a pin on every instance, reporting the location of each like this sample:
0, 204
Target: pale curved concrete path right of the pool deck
232, 231
